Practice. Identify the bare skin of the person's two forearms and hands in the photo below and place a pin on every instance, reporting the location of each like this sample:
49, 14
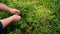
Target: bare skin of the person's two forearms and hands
10, 19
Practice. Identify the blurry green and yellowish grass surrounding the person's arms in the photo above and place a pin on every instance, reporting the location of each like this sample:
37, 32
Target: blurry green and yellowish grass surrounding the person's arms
38, 17
